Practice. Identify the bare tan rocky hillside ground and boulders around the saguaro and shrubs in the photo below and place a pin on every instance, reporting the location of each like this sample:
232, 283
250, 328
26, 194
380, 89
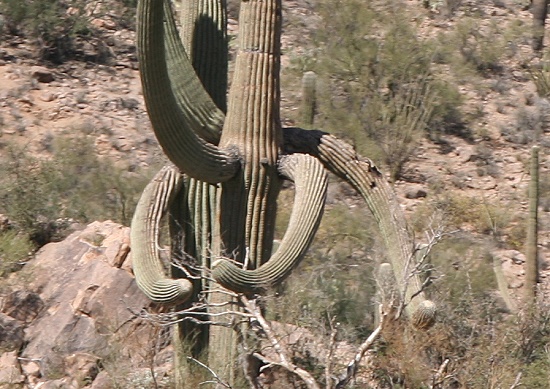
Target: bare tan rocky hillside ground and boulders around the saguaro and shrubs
54, 330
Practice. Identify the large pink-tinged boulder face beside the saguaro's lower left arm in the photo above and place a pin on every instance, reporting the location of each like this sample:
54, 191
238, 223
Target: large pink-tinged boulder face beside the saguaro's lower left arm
89, 302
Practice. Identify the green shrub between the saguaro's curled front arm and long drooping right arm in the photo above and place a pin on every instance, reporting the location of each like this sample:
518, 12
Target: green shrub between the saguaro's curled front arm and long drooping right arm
335, 280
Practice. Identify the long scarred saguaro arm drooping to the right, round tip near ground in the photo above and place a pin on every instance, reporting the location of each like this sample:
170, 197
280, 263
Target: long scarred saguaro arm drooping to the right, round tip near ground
341, 158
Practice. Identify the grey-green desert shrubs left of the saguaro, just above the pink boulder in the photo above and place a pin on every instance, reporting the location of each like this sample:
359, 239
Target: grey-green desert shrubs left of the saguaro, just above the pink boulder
42, 196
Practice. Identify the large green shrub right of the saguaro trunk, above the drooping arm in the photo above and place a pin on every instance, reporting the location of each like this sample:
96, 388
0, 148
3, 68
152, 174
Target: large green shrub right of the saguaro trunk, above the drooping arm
376, 83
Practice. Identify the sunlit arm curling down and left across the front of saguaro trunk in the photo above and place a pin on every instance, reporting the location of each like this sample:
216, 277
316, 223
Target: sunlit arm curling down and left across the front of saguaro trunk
310, 180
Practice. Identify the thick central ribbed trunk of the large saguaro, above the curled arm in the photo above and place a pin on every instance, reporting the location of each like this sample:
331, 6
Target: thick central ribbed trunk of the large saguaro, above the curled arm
253, 126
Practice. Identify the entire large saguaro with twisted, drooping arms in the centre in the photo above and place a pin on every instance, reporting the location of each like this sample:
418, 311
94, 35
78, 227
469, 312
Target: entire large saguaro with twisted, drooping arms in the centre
220, 193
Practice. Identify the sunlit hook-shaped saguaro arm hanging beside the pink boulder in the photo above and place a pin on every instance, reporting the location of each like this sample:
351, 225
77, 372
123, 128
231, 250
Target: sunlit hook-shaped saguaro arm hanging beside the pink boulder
144, 237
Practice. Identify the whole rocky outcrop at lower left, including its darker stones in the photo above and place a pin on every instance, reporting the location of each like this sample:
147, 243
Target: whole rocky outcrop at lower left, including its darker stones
72, 316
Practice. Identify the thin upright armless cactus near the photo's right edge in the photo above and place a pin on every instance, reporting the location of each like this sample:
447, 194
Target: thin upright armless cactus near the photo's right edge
531, 257
